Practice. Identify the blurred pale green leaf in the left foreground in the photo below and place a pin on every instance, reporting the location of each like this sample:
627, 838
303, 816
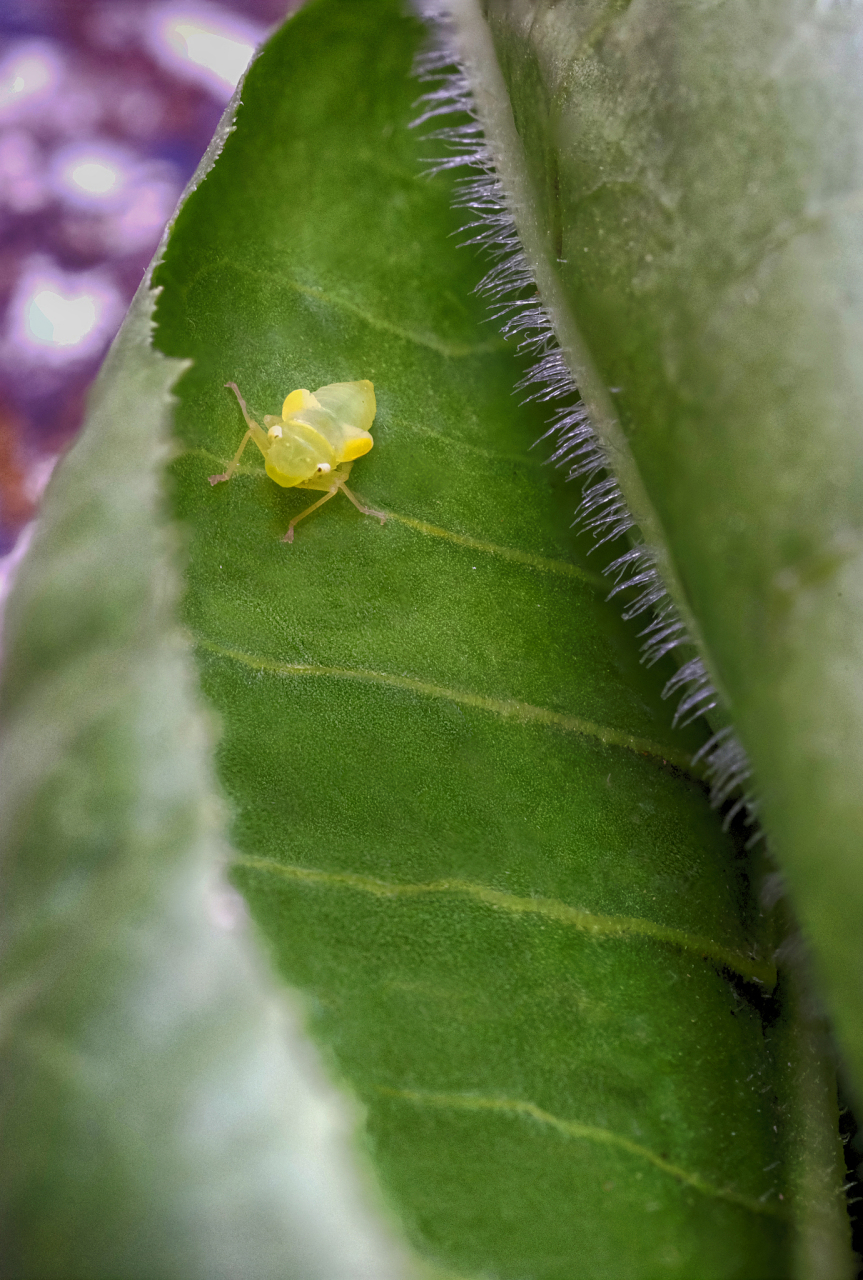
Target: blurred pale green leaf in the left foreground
163, 1116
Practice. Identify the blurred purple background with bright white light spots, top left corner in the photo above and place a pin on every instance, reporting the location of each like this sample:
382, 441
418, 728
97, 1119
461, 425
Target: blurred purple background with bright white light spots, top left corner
106, 111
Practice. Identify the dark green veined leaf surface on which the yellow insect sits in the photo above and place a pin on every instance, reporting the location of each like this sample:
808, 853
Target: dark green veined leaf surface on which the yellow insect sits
462, 815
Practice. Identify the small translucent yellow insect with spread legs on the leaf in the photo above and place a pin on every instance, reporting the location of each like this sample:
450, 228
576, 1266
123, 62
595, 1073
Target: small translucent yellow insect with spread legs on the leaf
314, 444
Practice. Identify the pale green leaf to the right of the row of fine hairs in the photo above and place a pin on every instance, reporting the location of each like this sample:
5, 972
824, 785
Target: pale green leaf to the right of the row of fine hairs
688, 177
